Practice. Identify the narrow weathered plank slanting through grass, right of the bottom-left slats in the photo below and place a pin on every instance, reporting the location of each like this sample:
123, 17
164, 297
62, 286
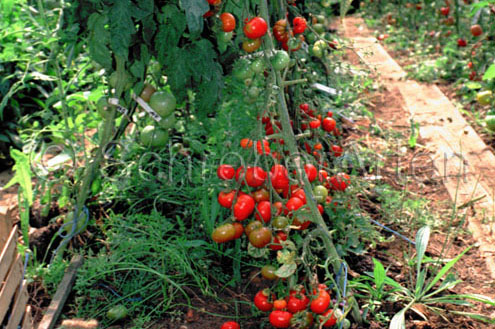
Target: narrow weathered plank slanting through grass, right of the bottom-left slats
50, 318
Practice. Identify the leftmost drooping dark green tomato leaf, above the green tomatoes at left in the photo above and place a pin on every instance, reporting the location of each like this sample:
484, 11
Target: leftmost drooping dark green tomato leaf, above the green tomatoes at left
99, 38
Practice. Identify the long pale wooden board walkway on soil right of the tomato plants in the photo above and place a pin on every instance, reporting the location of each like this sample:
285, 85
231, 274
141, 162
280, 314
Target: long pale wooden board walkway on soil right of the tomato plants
462, 159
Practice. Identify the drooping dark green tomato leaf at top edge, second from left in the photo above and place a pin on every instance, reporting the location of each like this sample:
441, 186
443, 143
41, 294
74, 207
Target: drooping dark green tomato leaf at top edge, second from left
121, 27
